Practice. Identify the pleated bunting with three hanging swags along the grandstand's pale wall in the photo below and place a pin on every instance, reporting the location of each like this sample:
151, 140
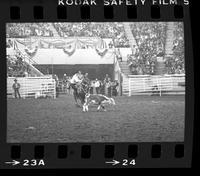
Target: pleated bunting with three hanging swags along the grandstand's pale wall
69, 46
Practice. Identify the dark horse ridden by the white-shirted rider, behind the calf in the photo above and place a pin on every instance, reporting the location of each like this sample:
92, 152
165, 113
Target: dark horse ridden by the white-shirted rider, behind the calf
79, 92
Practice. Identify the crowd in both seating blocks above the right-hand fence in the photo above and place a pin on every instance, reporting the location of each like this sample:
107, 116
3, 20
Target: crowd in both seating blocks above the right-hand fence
150, 38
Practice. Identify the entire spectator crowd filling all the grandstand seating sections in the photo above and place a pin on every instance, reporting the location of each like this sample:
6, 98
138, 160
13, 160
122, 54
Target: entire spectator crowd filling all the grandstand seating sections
150, 40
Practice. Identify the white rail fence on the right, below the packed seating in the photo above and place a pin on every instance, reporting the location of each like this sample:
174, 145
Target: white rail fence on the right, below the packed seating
154, 84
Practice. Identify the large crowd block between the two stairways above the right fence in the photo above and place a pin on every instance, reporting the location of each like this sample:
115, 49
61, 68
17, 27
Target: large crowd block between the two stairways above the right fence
150, 39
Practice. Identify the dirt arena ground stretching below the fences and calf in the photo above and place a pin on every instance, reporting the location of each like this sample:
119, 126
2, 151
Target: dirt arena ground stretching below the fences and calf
132, 119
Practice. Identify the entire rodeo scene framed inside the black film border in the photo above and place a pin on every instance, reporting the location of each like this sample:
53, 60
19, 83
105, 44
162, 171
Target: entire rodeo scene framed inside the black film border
95, 82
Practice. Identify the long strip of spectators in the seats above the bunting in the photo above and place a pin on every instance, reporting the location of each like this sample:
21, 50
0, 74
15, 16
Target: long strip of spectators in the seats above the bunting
104, 30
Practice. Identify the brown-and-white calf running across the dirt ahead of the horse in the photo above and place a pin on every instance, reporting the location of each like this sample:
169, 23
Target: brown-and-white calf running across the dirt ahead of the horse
97, 99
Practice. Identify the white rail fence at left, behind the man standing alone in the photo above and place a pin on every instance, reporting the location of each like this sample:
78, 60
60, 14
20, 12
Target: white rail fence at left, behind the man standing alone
35, 87
